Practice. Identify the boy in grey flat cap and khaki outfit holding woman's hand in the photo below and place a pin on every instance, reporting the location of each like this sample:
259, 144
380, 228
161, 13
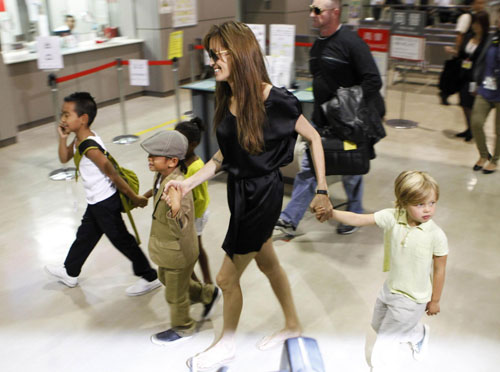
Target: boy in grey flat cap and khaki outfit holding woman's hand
173, 244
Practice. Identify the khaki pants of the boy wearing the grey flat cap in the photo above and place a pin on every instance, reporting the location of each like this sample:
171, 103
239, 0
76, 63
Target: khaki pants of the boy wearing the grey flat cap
180, 291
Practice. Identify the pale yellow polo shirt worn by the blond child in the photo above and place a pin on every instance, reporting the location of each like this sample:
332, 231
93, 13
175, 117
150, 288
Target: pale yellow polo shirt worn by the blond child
408, 253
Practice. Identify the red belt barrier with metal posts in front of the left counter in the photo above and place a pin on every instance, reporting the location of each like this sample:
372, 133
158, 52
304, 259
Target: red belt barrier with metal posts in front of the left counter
53, 80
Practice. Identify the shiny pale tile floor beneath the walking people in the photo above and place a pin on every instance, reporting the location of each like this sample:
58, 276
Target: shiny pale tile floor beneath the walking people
45, 326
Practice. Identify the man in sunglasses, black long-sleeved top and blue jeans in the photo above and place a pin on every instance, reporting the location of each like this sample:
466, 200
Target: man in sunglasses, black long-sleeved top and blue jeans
338, 58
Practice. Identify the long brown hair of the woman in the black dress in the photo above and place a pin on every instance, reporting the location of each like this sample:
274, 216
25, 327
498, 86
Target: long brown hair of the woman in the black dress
248, 72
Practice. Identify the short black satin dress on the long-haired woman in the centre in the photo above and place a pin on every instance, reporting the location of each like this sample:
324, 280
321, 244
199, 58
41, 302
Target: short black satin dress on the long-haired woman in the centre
255, 184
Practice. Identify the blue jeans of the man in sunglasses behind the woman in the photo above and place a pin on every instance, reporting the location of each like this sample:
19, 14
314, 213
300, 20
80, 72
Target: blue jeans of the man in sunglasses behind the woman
304, 188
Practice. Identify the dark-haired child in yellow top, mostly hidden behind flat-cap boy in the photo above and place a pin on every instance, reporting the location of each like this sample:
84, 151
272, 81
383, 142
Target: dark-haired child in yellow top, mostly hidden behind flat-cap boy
192, 130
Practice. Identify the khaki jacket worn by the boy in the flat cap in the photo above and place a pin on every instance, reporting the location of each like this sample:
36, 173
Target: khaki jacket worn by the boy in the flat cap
173, 243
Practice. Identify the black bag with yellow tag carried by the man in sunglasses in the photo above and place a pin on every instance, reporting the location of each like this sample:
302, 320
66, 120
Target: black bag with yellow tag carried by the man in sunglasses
344, 157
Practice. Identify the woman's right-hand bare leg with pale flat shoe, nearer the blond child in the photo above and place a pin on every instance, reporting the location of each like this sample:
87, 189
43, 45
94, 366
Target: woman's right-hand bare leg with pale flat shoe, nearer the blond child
268, 263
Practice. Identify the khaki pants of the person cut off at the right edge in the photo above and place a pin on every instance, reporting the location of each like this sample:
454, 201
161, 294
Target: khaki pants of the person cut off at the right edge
480, 112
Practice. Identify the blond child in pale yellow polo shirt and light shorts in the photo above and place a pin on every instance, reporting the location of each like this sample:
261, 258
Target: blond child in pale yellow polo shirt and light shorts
413, 245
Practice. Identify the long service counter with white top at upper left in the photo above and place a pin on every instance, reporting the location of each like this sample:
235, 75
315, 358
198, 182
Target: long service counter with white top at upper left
29, 97
